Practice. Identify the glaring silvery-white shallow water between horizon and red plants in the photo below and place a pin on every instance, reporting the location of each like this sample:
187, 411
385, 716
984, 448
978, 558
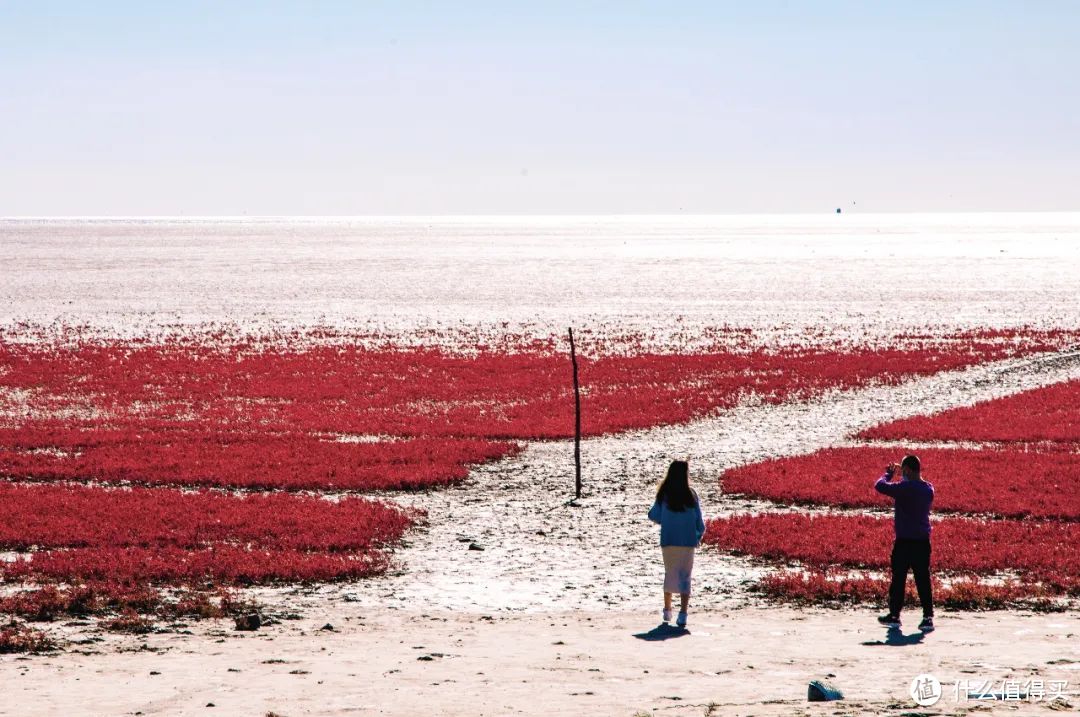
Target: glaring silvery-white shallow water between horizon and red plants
667, 277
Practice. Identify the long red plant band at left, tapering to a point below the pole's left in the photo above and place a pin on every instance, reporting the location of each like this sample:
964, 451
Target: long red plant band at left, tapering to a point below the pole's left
52, 451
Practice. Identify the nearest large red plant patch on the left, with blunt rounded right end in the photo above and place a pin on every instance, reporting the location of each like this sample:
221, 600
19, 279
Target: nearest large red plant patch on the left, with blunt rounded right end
77, 534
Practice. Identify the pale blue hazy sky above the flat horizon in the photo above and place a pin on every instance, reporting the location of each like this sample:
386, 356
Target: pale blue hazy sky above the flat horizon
547, 107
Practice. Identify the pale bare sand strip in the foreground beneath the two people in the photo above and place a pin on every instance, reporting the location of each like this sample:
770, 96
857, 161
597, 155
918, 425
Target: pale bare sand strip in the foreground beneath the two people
749, 661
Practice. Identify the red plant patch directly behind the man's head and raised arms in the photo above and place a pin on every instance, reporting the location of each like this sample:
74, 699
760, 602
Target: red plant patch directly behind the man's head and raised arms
1004, 483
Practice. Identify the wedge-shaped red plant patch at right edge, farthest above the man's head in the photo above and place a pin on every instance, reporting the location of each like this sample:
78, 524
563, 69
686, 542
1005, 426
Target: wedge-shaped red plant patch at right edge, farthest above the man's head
1048, 415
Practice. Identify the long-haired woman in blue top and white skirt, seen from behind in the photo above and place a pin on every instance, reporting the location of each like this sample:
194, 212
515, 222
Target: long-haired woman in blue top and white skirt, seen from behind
682, 525
